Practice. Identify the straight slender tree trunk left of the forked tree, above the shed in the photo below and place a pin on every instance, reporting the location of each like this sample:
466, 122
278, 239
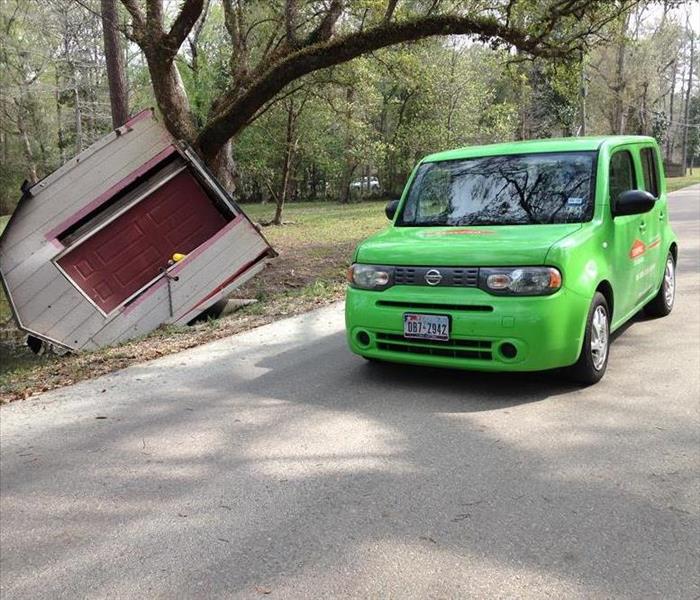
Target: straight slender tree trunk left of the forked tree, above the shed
114, 57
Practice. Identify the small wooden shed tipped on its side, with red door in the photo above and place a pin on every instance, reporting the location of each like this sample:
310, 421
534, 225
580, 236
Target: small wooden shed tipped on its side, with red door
132, 233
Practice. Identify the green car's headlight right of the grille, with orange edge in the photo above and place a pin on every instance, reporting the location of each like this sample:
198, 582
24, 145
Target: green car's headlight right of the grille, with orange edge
520, 281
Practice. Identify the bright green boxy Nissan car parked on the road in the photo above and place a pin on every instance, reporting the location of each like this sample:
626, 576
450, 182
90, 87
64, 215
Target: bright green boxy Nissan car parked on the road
521, 256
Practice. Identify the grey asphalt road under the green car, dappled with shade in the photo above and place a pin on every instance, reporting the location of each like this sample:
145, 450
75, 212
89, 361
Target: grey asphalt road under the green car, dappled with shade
276, 464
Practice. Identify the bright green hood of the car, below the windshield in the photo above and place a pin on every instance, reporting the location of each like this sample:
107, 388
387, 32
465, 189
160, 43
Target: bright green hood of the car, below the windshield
501, 245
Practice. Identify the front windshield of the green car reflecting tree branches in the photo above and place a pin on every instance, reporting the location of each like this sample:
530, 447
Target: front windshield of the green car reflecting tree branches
502, 190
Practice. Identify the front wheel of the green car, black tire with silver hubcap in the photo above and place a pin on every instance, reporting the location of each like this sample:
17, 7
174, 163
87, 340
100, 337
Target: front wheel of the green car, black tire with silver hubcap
595, 351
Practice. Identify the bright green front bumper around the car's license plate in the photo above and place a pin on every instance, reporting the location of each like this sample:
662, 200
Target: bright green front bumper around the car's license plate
546, 331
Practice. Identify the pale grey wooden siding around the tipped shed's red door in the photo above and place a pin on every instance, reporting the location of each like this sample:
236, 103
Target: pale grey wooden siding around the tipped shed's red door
49, 305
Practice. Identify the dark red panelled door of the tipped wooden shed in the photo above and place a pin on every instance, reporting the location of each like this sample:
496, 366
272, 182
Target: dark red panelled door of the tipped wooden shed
123, 257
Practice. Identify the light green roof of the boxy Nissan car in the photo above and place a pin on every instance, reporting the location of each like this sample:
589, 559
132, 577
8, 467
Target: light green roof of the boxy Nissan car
572, 144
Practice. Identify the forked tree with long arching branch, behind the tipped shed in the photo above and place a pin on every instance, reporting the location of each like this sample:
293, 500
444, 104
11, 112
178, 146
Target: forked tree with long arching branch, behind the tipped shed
273, 44
